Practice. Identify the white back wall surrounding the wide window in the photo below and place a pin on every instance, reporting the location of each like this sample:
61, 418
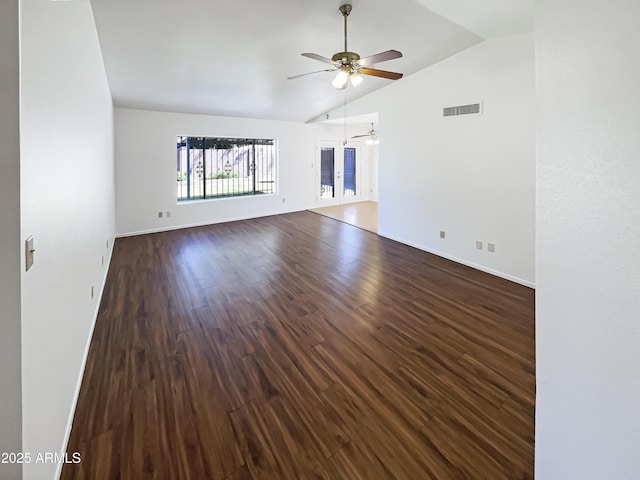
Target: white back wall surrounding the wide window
146, 169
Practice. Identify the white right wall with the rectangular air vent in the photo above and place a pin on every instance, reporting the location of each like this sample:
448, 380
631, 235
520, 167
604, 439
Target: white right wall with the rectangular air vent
471, 176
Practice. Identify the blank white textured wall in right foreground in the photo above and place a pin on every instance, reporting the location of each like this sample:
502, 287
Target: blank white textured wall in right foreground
588, 240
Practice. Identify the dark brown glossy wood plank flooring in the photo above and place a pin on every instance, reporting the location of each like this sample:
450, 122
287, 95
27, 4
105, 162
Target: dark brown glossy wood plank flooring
299, 347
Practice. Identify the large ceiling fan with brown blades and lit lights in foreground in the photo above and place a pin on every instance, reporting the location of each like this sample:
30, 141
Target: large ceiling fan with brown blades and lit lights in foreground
349, 65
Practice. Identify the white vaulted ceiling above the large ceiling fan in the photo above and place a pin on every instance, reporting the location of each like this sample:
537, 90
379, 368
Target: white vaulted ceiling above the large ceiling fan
234, 57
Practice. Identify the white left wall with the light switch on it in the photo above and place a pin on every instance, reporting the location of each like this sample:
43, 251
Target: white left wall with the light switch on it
67, 182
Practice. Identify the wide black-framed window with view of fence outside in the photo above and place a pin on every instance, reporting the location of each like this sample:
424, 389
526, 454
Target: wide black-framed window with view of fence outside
211, 167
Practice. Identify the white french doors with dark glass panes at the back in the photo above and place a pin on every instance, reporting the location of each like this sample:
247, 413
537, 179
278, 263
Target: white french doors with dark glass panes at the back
338, 174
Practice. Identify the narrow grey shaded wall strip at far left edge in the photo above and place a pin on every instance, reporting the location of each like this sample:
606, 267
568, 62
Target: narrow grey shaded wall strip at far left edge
10, 252
